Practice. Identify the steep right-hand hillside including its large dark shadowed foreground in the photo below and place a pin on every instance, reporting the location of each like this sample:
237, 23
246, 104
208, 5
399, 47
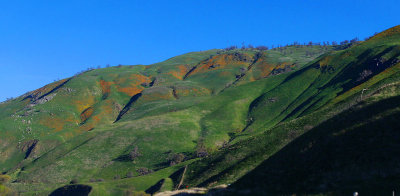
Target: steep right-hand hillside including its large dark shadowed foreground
292, 156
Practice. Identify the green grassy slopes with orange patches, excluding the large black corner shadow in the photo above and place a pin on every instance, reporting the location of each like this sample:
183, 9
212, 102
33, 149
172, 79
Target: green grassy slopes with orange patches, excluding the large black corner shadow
203, 99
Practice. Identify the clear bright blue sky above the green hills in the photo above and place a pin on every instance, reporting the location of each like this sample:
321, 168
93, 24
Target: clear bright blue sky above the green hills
41, 41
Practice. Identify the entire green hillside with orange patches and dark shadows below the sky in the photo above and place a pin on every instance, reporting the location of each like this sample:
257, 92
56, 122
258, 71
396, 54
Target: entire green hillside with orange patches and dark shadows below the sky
256, 119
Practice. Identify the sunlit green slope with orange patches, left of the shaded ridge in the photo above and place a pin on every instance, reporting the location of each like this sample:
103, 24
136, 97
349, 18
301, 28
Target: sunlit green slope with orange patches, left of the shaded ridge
78, 139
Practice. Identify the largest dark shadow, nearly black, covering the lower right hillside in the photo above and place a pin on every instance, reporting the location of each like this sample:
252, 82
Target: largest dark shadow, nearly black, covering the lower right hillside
357, 150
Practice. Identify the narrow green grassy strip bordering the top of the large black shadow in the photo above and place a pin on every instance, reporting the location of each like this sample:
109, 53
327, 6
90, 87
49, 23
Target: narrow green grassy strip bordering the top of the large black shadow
235, 161
